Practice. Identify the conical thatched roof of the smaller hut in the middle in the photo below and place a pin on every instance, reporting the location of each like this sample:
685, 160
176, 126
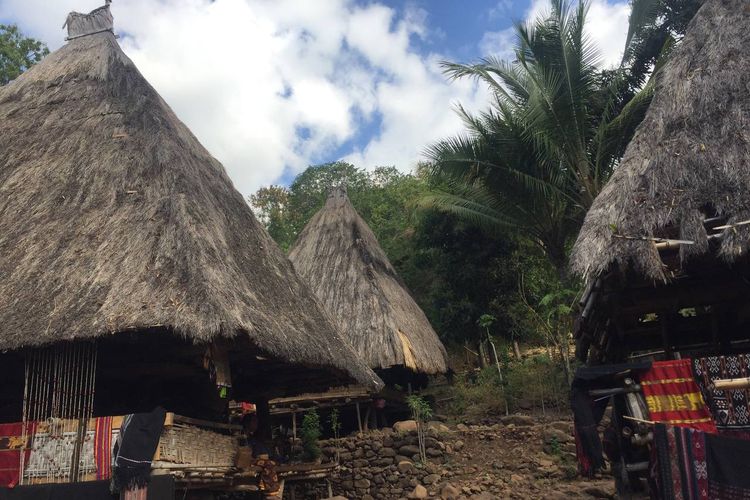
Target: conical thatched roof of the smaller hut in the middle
339, 256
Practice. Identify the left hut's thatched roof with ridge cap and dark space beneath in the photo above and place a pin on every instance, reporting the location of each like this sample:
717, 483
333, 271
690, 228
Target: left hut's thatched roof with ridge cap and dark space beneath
132, 273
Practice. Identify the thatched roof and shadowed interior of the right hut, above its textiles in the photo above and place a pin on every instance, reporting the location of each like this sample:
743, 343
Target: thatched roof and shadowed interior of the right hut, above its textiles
664, 247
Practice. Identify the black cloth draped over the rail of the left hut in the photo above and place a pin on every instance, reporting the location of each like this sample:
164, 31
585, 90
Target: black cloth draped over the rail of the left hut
135, 448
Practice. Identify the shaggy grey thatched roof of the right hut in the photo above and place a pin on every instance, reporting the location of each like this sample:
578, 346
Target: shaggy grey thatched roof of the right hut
689, 159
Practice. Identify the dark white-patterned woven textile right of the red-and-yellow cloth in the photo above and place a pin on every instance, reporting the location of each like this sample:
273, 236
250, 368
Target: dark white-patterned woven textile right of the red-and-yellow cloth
730, 408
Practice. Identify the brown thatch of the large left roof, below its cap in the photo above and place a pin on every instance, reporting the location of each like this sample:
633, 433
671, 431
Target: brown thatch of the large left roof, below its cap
114, 218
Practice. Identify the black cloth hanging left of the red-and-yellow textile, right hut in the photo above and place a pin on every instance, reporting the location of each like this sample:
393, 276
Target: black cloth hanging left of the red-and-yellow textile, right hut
587, 412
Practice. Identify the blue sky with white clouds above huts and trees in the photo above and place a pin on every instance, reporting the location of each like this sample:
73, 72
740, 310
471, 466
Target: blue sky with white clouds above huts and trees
270, 87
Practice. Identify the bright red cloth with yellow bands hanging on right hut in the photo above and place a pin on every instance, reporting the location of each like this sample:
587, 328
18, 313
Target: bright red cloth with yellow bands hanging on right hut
674, 398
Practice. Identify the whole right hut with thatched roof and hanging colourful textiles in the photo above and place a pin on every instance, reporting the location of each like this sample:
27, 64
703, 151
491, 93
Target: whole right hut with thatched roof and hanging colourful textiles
665, 317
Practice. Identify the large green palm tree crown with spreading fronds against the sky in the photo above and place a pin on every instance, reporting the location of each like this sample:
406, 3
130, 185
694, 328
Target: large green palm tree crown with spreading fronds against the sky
555, 129
